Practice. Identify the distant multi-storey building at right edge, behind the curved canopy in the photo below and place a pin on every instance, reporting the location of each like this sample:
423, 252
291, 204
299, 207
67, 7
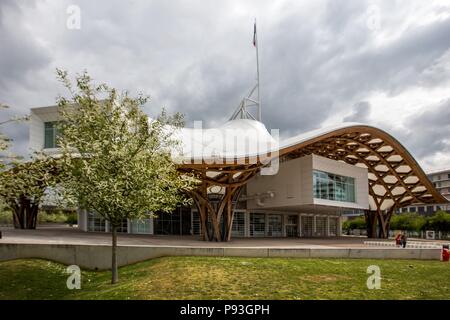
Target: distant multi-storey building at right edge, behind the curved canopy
441, 181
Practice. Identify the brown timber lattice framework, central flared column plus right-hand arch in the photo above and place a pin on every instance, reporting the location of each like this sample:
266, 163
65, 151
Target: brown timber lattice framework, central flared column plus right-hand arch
395, 178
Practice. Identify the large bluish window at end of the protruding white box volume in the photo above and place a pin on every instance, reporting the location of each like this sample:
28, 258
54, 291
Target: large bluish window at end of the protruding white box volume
331, 186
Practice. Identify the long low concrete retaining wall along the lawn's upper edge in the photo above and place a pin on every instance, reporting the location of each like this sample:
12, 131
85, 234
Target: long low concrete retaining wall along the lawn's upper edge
98, 257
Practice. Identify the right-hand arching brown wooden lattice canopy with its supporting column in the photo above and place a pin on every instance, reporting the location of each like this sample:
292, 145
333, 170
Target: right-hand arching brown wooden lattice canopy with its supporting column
395, 178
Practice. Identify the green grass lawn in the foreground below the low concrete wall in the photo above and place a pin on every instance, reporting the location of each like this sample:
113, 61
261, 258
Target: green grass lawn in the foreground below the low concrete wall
231, 278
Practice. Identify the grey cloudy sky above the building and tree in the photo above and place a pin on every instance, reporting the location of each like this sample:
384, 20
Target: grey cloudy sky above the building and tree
384, 63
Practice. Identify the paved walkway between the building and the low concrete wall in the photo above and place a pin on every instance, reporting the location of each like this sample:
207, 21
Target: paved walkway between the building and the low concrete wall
69, 235
